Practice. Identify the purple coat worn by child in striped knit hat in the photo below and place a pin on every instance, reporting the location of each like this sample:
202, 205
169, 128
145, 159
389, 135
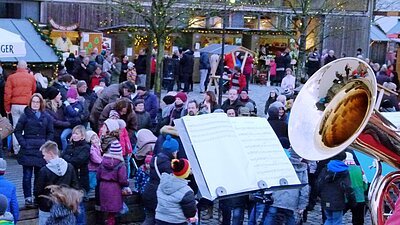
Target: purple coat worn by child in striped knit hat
112, 178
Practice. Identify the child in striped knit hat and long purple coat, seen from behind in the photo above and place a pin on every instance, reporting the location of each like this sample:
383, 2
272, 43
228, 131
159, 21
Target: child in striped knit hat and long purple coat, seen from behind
112, 179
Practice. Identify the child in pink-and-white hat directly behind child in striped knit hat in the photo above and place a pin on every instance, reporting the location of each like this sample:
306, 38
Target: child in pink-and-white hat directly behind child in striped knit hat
114, 123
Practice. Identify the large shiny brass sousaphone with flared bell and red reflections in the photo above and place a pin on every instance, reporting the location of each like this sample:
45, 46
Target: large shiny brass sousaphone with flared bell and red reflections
335, 110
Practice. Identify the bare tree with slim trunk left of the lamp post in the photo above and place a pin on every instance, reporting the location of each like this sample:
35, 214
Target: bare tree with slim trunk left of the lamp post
162, 18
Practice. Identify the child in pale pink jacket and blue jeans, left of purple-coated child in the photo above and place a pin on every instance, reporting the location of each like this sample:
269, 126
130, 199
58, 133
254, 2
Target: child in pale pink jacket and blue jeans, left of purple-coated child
95, 157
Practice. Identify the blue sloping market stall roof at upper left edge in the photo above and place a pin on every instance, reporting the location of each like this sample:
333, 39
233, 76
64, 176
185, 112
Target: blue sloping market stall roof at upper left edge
37, 51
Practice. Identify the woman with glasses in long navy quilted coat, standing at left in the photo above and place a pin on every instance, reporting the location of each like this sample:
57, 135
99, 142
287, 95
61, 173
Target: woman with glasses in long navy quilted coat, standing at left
33, 129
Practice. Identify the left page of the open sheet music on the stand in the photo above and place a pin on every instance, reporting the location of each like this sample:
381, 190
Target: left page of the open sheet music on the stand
219, 152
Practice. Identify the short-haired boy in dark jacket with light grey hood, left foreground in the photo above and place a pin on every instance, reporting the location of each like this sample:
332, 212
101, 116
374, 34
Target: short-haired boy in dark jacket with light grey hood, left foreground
56, 172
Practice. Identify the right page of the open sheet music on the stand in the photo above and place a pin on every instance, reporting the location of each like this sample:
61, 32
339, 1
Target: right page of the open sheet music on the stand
264, 151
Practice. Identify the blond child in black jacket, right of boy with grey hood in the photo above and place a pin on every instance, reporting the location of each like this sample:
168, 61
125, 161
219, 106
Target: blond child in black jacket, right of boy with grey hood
77, 153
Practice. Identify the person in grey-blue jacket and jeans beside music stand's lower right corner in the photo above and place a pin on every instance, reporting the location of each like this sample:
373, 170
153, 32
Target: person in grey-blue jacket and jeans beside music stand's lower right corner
289, 205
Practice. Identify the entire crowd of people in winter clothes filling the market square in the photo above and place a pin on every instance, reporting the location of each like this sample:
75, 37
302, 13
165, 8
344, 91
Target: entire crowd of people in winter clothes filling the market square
96, 131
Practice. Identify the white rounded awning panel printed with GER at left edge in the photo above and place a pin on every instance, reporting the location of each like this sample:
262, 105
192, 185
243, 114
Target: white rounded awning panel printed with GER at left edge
11, 45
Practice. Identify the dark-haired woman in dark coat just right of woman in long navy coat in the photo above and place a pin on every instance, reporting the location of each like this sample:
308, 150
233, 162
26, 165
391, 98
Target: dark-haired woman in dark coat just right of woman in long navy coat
55, 109
